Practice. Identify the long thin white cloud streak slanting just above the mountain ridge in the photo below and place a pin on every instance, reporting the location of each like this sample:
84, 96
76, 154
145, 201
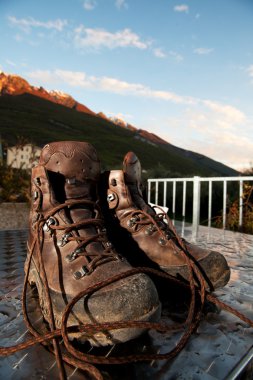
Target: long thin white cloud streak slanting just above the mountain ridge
228, 114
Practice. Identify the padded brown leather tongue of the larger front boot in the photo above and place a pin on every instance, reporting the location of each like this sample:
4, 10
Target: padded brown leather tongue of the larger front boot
78, 163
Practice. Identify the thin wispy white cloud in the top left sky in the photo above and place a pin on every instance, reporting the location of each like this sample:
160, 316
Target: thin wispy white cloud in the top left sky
26, 24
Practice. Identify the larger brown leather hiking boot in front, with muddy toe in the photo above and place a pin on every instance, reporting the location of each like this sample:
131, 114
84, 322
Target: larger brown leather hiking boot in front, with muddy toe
68, 242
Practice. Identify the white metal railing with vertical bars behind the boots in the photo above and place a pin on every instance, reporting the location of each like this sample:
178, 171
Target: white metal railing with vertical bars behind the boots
153, 195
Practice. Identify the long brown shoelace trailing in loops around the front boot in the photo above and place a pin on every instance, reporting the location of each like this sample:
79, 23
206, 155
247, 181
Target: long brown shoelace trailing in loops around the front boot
87, 361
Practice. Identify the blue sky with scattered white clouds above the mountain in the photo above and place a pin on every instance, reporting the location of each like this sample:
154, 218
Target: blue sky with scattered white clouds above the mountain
180, 69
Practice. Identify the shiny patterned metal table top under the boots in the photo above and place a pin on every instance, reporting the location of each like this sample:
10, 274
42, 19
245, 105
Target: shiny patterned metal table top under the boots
217, 347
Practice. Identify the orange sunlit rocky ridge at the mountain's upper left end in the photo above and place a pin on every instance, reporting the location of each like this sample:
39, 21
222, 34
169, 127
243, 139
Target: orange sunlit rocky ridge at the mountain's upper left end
15, 85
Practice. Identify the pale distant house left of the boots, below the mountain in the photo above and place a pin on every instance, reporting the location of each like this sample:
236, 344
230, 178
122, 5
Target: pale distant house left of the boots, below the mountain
25, 156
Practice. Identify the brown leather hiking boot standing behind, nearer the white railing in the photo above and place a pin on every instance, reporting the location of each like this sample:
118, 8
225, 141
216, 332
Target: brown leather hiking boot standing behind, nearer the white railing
152, 236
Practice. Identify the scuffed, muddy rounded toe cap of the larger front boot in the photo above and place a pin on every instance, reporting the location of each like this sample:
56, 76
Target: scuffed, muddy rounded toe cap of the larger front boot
132, 299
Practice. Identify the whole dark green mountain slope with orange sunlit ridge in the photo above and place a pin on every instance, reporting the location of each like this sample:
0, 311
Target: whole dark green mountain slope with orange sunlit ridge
39, 116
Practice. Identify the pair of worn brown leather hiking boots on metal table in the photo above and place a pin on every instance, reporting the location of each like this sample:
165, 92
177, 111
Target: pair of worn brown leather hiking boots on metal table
74, 209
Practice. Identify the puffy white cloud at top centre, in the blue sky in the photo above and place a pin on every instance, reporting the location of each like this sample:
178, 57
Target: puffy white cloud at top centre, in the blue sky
97, 38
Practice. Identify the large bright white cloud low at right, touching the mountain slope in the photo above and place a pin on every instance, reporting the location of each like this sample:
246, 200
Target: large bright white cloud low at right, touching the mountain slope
216, 130
